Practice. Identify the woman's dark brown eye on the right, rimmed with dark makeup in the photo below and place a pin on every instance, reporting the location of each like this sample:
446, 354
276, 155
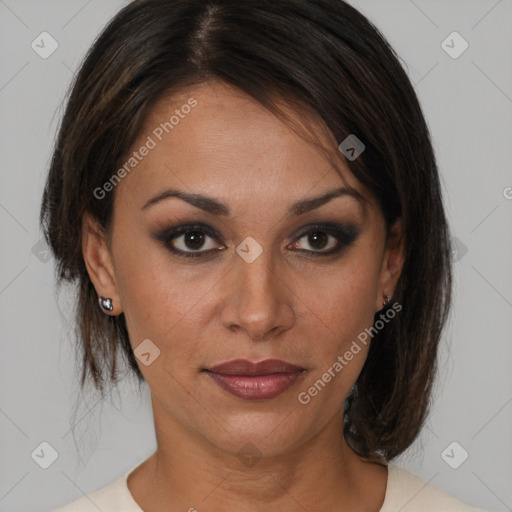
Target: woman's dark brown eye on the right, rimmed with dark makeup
325, 239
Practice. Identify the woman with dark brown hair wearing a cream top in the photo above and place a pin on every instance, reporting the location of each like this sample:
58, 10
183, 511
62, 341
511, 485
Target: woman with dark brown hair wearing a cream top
246, 195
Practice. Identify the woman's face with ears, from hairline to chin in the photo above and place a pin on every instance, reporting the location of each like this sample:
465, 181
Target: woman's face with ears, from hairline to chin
242, 266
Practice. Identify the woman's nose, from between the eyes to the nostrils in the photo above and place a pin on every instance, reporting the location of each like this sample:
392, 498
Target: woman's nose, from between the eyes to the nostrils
260, 302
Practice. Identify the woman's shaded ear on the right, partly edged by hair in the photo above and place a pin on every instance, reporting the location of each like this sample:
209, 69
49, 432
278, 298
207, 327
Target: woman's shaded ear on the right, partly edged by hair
392, 263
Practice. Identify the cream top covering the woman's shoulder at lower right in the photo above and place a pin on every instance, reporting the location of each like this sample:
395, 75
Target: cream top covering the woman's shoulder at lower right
410, 493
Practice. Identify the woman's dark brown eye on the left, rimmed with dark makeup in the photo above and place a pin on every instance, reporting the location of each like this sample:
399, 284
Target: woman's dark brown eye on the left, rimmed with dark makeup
192, 240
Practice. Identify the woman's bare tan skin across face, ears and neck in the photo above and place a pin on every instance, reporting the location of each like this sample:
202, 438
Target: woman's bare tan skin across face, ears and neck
287, 304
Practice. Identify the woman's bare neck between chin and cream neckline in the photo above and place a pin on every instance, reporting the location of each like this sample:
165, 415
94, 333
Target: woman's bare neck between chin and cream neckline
187, 472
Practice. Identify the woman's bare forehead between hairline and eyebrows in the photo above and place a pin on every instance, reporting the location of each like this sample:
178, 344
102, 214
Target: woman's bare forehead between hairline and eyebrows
214, 138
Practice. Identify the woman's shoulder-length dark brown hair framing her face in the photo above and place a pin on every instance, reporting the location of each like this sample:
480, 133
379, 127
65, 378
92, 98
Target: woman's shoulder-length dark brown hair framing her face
323, 54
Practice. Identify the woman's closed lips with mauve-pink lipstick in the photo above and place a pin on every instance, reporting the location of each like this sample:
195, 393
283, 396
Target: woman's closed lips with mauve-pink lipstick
255, 381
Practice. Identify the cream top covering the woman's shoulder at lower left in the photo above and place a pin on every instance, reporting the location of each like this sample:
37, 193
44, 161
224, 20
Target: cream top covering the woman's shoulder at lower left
113, 497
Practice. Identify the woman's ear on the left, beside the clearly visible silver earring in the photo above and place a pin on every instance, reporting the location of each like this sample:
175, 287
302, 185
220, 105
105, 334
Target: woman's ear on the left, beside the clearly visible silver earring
98, 262
